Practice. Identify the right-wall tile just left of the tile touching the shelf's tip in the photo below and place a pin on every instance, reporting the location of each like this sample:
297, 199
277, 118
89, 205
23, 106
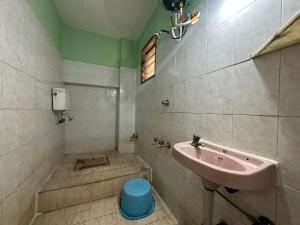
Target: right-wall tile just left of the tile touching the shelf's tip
220, 46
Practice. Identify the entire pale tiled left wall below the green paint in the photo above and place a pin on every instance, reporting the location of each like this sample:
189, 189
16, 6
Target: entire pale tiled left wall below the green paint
31, 66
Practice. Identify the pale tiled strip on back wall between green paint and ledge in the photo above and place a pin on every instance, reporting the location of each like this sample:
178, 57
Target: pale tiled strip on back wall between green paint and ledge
87, 73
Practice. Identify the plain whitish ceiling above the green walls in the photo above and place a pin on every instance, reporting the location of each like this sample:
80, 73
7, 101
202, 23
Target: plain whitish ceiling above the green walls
112, 18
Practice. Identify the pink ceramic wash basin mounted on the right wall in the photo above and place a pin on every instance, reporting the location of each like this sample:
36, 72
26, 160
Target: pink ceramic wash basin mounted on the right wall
223, 166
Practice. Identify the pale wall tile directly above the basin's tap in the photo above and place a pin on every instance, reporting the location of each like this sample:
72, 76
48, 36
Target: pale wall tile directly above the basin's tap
195, 125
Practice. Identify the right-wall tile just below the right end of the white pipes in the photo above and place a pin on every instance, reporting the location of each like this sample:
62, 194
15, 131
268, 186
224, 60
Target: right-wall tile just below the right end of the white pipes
197, 57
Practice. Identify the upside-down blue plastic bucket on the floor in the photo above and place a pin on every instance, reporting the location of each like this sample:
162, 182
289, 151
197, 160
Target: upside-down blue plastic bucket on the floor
136, 200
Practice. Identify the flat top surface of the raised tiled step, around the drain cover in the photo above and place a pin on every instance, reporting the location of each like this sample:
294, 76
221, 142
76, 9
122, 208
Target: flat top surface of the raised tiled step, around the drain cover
120, 165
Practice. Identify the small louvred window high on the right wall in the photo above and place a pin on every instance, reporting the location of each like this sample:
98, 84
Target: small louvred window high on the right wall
148, 60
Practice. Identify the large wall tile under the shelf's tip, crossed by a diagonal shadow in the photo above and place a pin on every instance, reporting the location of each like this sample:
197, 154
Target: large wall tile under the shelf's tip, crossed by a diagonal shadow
256, 86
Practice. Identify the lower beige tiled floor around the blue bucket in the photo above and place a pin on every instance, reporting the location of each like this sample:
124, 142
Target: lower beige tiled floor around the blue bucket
103, 212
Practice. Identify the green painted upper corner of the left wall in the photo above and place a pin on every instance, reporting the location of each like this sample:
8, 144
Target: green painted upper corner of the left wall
46, 12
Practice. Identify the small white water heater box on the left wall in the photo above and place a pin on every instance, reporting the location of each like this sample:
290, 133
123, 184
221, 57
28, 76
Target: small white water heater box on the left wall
60, 99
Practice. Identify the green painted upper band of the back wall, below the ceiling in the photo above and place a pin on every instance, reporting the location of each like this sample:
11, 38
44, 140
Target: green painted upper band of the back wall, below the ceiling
94, 48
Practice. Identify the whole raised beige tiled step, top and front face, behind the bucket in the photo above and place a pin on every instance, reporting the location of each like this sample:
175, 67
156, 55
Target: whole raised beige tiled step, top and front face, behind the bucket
67, 187
